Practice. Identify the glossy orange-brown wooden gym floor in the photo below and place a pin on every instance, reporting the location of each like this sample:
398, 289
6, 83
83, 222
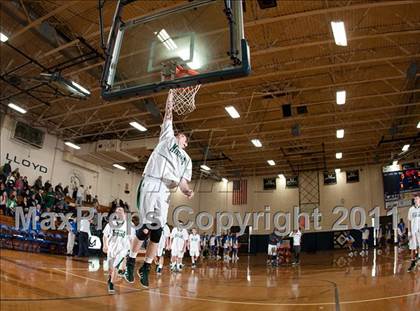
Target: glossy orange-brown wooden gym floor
323, 281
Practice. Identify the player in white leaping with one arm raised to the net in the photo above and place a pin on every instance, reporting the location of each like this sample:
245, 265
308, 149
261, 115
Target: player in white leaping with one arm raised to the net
169, 166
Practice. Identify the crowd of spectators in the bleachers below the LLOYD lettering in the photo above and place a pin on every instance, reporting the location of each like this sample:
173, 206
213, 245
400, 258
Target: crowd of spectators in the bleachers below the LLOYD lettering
16, 190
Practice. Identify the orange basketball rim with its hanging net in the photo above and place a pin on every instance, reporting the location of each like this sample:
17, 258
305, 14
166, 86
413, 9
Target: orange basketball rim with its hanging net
184, 97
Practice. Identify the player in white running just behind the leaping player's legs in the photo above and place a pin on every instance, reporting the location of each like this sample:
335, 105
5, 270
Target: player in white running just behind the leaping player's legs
116, 244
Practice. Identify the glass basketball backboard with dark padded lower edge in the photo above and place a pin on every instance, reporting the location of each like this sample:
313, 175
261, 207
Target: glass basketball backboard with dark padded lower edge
142, 54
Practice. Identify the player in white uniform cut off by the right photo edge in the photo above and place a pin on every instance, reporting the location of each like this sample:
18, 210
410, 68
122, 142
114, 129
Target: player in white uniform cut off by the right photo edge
414, 231
